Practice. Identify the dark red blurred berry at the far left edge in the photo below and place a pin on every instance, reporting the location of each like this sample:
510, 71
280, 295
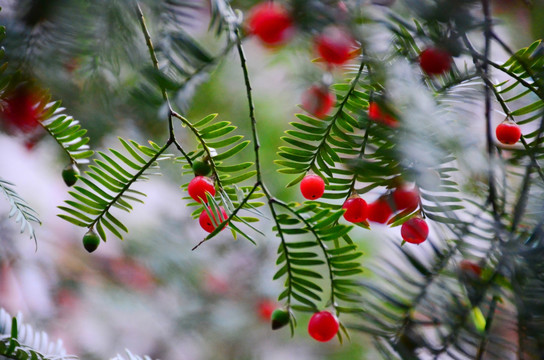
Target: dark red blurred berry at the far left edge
21, 110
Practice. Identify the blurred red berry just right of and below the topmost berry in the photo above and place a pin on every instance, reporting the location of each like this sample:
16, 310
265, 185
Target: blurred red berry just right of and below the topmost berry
334, 45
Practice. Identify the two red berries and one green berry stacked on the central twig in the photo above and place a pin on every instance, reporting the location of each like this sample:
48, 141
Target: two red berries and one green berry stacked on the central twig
198, 188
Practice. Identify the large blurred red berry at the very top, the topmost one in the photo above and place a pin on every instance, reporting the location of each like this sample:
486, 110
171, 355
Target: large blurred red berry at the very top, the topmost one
271, 23
